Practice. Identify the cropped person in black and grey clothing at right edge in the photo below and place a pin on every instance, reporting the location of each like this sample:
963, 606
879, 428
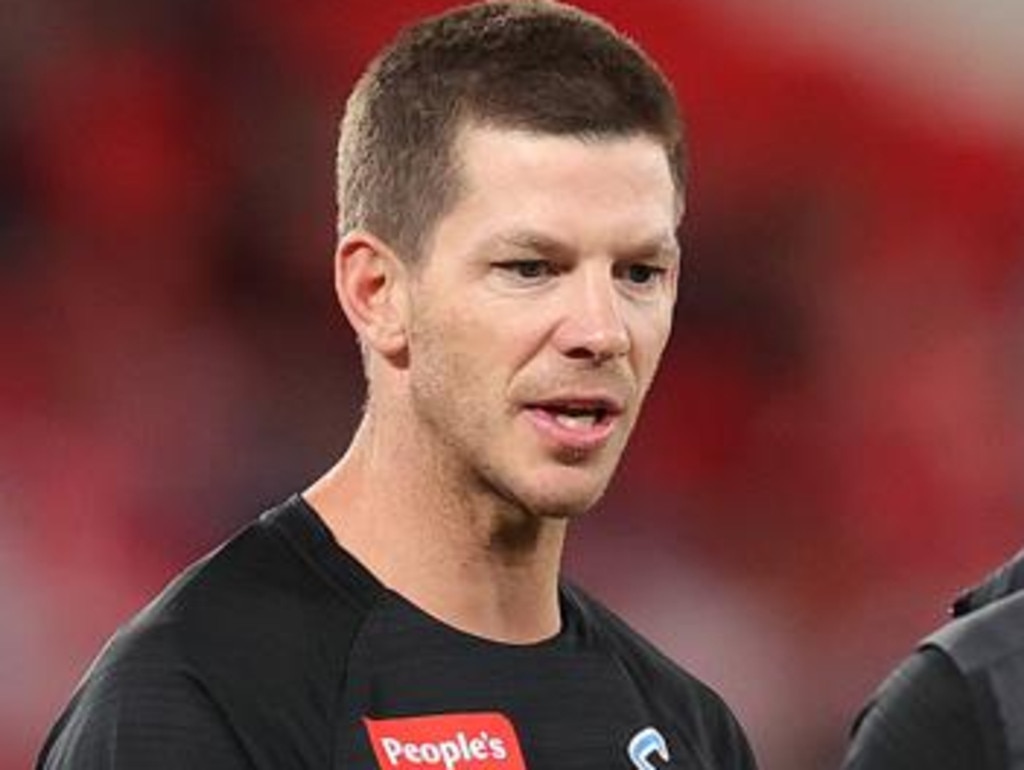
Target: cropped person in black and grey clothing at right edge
958, 703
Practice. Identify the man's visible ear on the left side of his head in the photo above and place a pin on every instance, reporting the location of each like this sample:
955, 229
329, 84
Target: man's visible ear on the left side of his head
371, 282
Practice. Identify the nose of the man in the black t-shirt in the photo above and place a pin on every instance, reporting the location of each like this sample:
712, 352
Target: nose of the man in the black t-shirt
593, 327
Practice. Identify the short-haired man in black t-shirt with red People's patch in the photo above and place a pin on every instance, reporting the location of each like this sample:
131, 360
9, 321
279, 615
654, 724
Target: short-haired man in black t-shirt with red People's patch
510, 185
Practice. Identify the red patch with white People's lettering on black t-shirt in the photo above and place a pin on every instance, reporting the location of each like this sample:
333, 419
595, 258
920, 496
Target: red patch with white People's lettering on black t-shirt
446, 742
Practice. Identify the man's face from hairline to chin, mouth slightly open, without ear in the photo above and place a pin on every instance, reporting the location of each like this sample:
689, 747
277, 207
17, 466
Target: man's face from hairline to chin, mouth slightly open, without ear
540, 311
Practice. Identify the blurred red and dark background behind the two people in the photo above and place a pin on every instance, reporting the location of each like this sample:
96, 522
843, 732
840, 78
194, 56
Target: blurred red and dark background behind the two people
832, 451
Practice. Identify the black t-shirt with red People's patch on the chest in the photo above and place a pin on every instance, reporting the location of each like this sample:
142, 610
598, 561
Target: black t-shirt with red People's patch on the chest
280, 652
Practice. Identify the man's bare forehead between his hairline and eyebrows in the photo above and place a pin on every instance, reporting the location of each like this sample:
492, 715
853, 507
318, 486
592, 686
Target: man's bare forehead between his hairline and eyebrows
572, 187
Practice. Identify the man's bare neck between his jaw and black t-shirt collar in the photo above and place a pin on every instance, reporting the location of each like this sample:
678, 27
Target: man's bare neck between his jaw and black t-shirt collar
462, 554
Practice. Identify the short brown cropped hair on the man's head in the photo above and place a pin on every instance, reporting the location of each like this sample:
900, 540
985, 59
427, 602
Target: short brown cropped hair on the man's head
531, 65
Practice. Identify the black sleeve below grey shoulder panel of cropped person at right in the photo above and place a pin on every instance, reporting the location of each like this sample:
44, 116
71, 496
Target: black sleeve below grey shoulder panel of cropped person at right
926, 716
